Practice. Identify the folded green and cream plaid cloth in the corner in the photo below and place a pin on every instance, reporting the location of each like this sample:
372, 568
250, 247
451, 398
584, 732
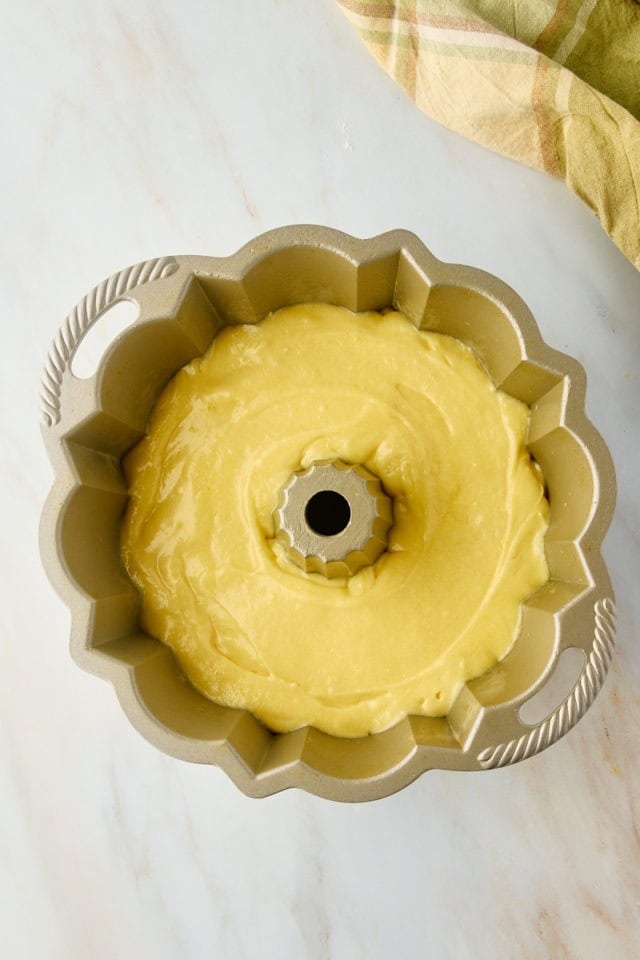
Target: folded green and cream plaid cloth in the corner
554, 84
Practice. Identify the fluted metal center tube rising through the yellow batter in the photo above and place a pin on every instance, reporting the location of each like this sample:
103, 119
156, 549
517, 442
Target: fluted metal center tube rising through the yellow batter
333, 518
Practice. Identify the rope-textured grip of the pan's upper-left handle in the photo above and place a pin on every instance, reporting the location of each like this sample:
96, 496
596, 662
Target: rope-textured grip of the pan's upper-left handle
81, 318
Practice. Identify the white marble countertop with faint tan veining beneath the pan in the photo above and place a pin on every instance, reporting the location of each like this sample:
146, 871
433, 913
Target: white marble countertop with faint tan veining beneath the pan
135, 129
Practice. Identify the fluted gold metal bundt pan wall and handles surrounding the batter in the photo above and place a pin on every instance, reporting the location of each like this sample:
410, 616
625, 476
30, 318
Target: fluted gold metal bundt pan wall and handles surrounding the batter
89, 425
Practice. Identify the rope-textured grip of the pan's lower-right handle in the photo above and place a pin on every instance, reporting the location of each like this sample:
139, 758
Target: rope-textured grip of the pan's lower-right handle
574, 706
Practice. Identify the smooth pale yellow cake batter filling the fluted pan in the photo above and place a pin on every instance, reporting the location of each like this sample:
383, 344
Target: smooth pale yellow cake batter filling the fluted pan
354, 656
